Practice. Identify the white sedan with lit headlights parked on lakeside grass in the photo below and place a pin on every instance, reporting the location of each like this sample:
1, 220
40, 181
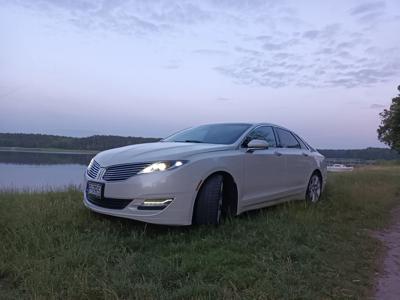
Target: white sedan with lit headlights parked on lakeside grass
201, 173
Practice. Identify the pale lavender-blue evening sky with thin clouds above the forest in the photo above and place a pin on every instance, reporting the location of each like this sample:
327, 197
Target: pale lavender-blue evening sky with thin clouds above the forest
324, 69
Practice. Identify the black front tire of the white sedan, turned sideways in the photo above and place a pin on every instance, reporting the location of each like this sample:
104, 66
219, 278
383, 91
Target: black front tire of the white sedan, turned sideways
207, 210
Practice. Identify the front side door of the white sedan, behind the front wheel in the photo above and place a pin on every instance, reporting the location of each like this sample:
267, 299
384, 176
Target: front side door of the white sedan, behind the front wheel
264, 170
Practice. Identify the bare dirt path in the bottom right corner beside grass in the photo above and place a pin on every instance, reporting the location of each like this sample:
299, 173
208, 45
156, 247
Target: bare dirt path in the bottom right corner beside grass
388, 279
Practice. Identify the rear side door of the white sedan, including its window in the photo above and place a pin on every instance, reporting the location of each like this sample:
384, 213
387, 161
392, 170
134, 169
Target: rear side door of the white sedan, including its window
299, 162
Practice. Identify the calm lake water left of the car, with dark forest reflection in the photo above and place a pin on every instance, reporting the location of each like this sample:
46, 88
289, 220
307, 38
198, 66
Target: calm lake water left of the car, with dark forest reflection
37, 171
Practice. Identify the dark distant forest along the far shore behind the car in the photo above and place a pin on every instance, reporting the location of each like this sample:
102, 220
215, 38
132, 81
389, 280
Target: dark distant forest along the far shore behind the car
102, 142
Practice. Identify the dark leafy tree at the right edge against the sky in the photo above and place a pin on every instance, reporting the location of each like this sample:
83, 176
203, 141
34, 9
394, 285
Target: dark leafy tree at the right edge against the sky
389, 130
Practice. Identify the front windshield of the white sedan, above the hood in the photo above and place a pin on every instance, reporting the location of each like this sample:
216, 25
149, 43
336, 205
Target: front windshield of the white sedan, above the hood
212, 134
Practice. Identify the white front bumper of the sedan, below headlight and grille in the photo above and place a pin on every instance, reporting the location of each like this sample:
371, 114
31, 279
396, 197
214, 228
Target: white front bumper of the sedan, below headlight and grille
130, 194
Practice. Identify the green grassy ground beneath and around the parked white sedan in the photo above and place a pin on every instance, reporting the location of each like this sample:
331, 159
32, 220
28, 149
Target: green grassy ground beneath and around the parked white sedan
52, 247
